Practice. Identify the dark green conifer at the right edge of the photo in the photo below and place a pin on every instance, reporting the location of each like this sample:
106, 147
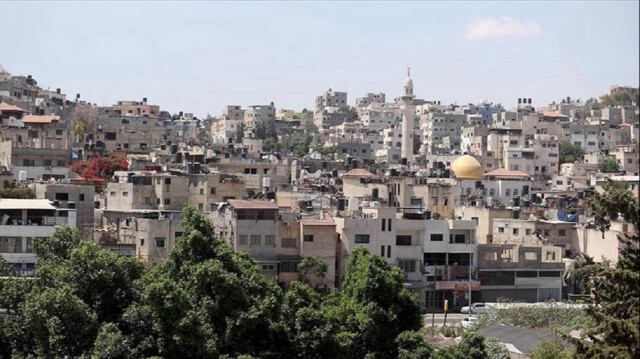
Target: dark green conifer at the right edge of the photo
613, 328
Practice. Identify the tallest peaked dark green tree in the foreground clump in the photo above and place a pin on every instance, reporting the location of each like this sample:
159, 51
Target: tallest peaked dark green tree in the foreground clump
206, 299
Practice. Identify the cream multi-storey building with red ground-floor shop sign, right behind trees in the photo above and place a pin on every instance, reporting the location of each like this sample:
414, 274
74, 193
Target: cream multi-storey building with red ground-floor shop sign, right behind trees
434, 254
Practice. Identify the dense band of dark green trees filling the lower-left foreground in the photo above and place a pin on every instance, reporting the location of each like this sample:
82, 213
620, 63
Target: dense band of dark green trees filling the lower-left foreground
206, 300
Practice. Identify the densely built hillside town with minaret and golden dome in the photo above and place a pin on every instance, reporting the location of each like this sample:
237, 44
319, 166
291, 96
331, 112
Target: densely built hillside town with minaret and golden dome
475, 202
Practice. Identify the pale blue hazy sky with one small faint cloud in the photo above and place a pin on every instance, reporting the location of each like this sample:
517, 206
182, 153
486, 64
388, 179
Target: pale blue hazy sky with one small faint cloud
199, 56
